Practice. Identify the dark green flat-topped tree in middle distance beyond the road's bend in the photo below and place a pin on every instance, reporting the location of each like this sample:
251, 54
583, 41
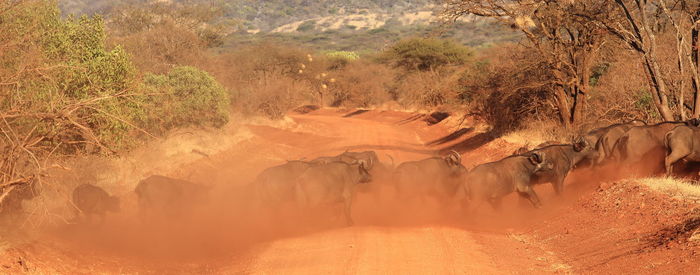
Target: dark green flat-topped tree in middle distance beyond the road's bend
425, 54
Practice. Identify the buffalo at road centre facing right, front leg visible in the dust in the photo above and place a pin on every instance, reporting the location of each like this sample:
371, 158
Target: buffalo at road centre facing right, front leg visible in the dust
324, 185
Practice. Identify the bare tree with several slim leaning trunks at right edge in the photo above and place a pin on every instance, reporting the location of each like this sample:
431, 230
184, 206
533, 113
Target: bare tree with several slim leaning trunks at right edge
637, 23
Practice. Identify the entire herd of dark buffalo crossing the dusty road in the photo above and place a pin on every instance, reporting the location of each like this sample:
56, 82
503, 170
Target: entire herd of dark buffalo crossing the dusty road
330, 180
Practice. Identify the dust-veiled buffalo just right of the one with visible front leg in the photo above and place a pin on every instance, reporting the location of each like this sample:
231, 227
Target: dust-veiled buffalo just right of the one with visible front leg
438, 177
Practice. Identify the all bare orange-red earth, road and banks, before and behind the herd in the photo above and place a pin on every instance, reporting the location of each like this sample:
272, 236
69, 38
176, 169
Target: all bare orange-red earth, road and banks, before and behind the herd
608, 229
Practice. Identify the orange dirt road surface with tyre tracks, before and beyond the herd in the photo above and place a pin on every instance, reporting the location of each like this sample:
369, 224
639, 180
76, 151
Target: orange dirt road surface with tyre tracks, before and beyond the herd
369, 249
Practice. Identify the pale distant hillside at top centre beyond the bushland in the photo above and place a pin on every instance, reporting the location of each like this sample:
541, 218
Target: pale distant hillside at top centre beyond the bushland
351, 25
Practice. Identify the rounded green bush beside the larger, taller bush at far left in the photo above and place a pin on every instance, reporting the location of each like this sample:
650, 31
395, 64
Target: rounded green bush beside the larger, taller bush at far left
186, 96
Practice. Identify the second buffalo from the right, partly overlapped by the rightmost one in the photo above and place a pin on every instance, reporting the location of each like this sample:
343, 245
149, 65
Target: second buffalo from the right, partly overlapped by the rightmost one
644, 145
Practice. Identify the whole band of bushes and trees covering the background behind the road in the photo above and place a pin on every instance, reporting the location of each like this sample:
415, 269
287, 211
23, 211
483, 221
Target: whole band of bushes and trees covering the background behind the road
104, 84
